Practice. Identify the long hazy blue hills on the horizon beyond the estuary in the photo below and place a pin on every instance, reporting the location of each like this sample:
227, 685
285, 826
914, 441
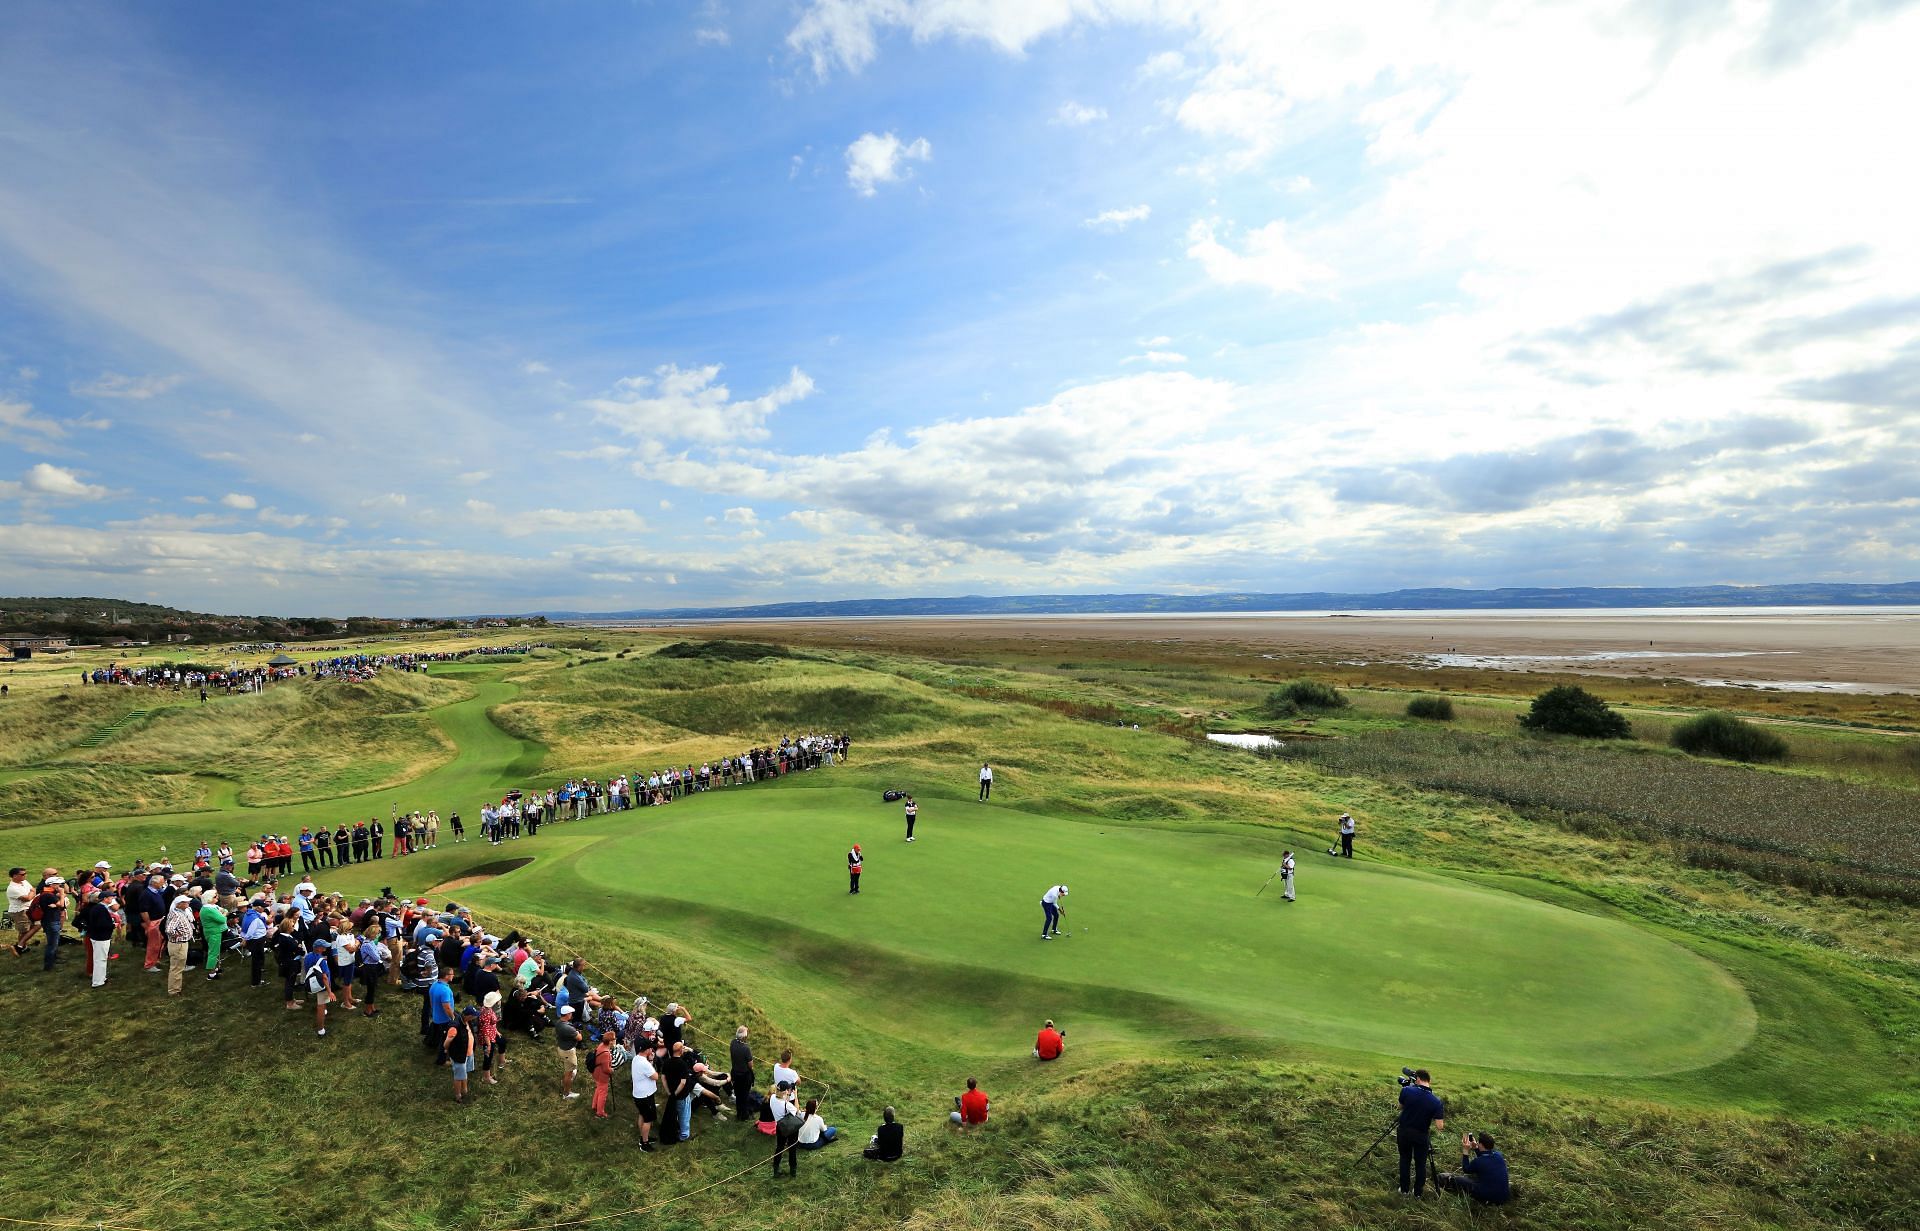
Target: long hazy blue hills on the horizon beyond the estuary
1808, 594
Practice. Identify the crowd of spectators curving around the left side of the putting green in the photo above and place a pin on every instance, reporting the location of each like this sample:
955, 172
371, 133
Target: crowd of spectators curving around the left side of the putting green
339, 957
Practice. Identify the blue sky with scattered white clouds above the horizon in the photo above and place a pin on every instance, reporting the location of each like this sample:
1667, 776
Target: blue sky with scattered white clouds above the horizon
423, 310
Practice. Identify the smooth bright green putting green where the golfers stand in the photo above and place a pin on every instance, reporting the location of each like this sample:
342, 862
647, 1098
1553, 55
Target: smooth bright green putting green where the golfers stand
1370, 957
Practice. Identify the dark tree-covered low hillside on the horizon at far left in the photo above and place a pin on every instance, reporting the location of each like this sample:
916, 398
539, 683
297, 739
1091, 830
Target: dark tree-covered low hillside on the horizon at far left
93, 621
